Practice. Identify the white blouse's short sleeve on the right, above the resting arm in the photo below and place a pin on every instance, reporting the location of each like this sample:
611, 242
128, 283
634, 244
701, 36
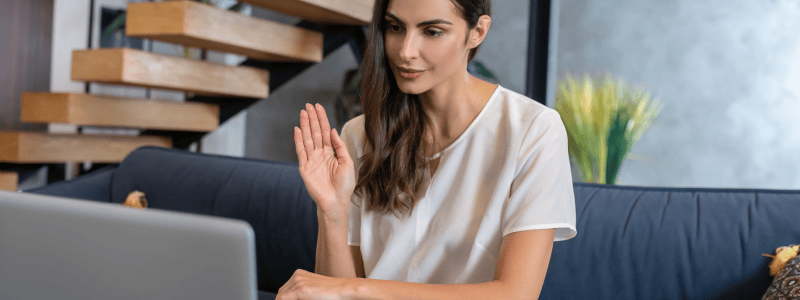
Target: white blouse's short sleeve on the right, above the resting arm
541, 195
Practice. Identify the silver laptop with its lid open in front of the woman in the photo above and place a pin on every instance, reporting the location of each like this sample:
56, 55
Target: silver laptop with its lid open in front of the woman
59, 248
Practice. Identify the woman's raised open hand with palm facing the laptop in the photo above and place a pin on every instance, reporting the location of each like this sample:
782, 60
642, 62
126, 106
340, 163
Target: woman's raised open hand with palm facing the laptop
325, 164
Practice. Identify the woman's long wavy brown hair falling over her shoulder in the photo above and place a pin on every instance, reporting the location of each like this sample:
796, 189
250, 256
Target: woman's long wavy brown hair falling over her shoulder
394, 122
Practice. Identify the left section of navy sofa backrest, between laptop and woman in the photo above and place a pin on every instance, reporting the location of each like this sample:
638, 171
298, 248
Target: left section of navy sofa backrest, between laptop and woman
269, 195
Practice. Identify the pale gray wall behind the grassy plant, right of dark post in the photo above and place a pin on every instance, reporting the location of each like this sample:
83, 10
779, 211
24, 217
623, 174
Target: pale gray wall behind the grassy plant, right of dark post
727, 72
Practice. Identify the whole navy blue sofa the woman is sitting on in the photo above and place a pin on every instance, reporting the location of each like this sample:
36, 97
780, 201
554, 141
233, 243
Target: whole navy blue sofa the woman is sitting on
632, 243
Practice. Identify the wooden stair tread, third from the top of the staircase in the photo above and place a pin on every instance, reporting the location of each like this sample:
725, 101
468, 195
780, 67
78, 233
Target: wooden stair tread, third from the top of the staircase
139, 68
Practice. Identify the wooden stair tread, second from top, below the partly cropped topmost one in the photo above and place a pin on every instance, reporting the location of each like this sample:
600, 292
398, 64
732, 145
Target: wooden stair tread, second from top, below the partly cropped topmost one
205, 26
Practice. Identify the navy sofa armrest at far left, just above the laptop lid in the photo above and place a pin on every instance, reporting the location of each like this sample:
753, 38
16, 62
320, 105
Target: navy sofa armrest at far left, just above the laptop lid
94, 186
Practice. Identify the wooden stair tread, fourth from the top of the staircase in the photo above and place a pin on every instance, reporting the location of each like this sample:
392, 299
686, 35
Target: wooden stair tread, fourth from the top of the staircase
94, 110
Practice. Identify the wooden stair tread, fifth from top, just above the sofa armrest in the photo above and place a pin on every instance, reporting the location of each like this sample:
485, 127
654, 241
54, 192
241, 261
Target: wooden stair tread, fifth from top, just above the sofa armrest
35, 147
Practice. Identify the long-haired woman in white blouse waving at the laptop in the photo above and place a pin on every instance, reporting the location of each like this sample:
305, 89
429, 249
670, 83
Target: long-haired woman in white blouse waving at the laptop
460, 187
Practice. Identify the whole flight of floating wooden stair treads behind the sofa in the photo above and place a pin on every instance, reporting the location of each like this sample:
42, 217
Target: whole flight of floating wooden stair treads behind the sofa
188, 23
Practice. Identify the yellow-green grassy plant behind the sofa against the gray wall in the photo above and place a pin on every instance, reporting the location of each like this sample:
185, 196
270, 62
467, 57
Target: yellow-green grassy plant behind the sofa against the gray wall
604, 118
